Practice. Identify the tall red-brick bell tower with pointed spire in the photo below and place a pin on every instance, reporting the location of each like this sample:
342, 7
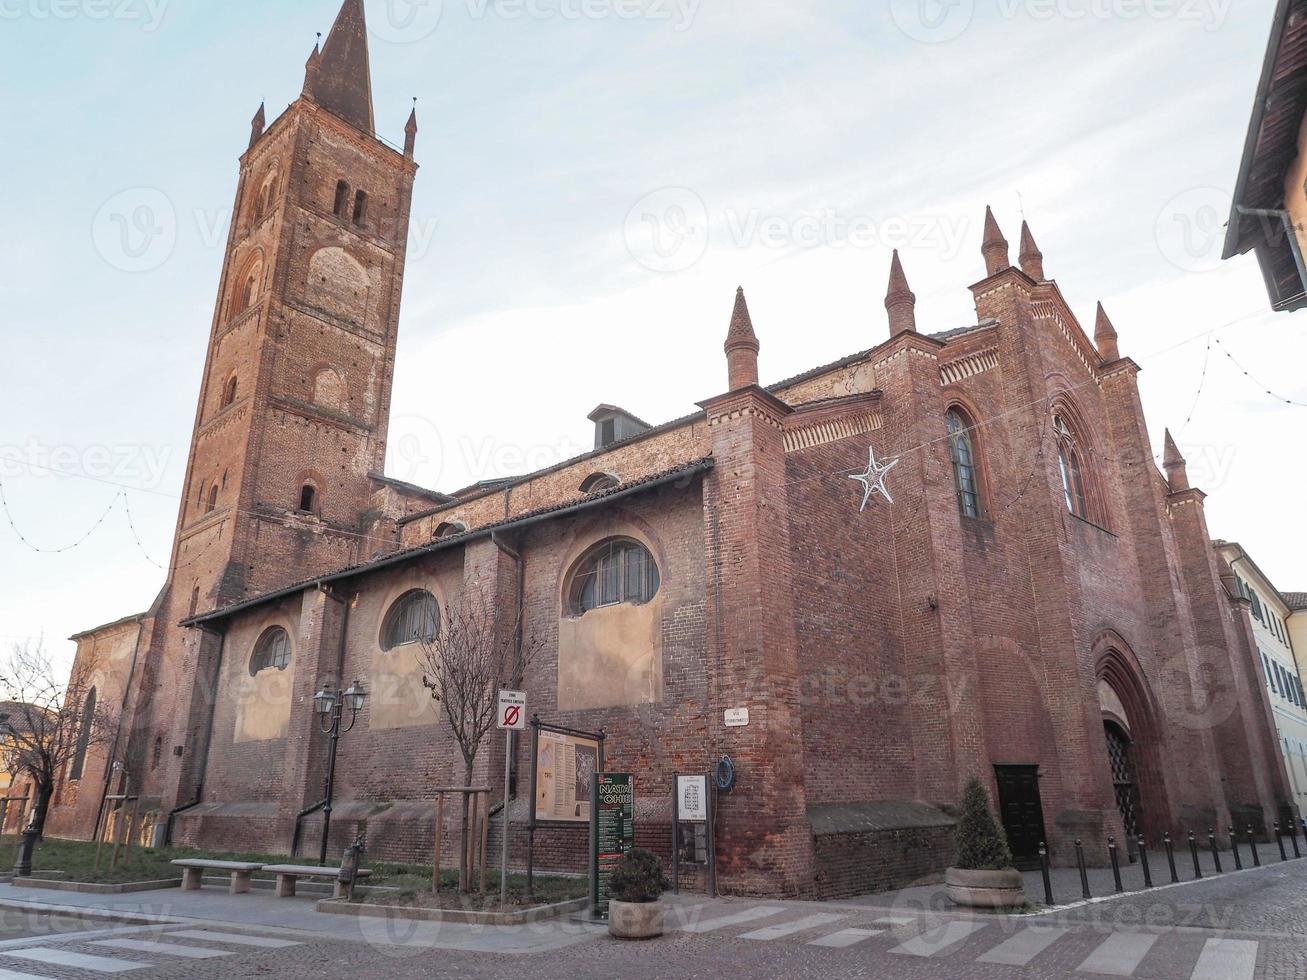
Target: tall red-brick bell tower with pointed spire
295, 404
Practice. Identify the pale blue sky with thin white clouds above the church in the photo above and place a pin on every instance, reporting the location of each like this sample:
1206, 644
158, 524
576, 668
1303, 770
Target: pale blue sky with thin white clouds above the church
597, 178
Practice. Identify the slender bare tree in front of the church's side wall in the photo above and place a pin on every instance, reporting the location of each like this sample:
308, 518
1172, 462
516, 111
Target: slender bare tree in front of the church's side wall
478, 651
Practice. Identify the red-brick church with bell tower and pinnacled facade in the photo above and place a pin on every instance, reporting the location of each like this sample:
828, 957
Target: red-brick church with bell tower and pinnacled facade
950, 556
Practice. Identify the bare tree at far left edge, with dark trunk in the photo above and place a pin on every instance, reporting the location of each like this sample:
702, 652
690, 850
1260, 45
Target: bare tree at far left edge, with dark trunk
48, 725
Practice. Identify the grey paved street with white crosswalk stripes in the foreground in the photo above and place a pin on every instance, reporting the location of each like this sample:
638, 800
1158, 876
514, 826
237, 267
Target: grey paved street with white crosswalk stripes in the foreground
1228, 928
